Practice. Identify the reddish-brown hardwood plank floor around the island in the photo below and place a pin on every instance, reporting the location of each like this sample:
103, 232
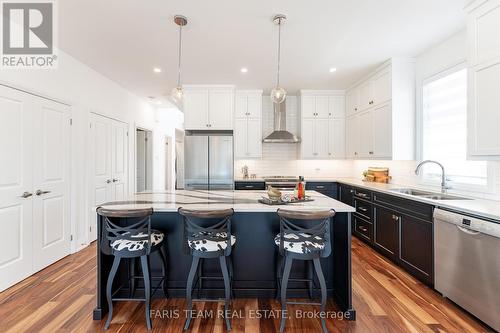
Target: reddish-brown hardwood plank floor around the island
61, 298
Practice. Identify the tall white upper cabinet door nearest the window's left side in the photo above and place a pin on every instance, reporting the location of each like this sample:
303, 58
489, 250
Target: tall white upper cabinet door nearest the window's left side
382, 131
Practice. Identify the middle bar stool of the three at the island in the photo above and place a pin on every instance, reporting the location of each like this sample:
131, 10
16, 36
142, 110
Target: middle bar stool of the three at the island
207, 235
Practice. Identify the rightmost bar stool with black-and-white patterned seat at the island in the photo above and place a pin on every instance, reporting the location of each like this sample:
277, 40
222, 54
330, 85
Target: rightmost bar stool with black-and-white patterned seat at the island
306, 238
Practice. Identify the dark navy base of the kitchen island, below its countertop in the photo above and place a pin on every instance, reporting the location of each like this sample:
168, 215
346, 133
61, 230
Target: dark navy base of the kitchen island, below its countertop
254, 259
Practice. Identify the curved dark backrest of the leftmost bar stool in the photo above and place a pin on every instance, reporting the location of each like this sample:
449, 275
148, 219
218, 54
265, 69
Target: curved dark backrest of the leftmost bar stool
111, 231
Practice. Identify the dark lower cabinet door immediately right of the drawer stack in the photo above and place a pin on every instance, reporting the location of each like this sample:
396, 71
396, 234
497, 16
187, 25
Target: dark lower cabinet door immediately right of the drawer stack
386, 231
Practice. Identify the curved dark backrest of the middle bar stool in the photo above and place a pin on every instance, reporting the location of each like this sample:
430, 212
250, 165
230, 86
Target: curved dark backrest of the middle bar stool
212, 225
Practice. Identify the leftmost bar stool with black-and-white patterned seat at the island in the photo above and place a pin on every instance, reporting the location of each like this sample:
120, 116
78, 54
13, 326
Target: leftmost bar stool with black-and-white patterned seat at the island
133, 241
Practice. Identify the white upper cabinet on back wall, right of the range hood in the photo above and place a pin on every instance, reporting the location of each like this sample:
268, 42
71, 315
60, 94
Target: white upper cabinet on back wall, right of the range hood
322, 124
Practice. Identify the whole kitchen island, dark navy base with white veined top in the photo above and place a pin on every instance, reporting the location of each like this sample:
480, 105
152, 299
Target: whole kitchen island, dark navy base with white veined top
254, 255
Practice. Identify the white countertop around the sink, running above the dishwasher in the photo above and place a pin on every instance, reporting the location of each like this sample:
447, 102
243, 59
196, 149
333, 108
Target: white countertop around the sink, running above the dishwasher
480, 207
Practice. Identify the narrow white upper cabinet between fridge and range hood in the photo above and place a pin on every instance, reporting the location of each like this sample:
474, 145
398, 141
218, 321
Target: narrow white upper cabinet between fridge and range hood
248, 124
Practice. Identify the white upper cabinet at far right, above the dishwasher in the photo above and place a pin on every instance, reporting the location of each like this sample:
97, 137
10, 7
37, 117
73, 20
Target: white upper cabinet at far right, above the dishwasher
483, 27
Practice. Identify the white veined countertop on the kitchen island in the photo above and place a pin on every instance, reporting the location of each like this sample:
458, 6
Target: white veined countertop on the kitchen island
240, 201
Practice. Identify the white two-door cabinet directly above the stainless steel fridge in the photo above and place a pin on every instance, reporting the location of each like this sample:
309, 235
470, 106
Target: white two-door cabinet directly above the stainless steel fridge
208, 107
